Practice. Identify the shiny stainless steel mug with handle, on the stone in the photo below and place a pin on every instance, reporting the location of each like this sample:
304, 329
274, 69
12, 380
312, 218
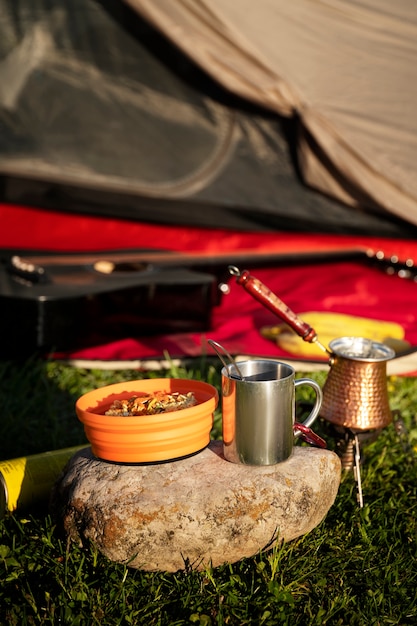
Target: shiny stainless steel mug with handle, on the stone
259, 411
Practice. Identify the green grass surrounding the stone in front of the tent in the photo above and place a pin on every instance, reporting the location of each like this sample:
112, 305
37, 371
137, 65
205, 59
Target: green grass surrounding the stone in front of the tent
357, 567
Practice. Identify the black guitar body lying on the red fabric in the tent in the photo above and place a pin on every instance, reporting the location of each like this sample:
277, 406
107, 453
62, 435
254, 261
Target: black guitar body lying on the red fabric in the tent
58, 306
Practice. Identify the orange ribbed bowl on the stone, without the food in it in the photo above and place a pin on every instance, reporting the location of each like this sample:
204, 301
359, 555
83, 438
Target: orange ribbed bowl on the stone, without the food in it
148, 438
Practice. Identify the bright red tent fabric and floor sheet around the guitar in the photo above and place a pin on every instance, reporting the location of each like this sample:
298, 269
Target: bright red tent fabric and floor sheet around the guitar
345, 287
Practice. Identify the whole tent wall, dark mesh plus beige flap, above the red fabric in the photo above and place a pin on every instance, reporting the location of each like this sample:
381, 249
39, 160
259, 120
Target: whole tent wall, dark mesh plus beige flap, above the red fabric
172, 113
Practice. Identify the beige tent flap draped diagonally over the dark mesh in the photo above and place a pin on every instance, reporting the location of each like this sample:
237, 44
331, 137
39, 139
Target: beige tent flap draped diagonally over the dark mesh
347, 69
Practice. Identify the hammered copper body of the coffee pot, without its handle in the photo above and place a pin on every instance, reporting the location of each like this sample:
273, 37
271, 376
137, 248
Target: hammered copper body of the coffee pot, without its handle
355, 393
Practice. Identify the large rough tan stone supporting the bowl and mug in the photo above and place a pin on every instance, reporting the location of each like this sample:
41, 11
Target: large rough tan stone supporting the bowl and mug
193, 512
